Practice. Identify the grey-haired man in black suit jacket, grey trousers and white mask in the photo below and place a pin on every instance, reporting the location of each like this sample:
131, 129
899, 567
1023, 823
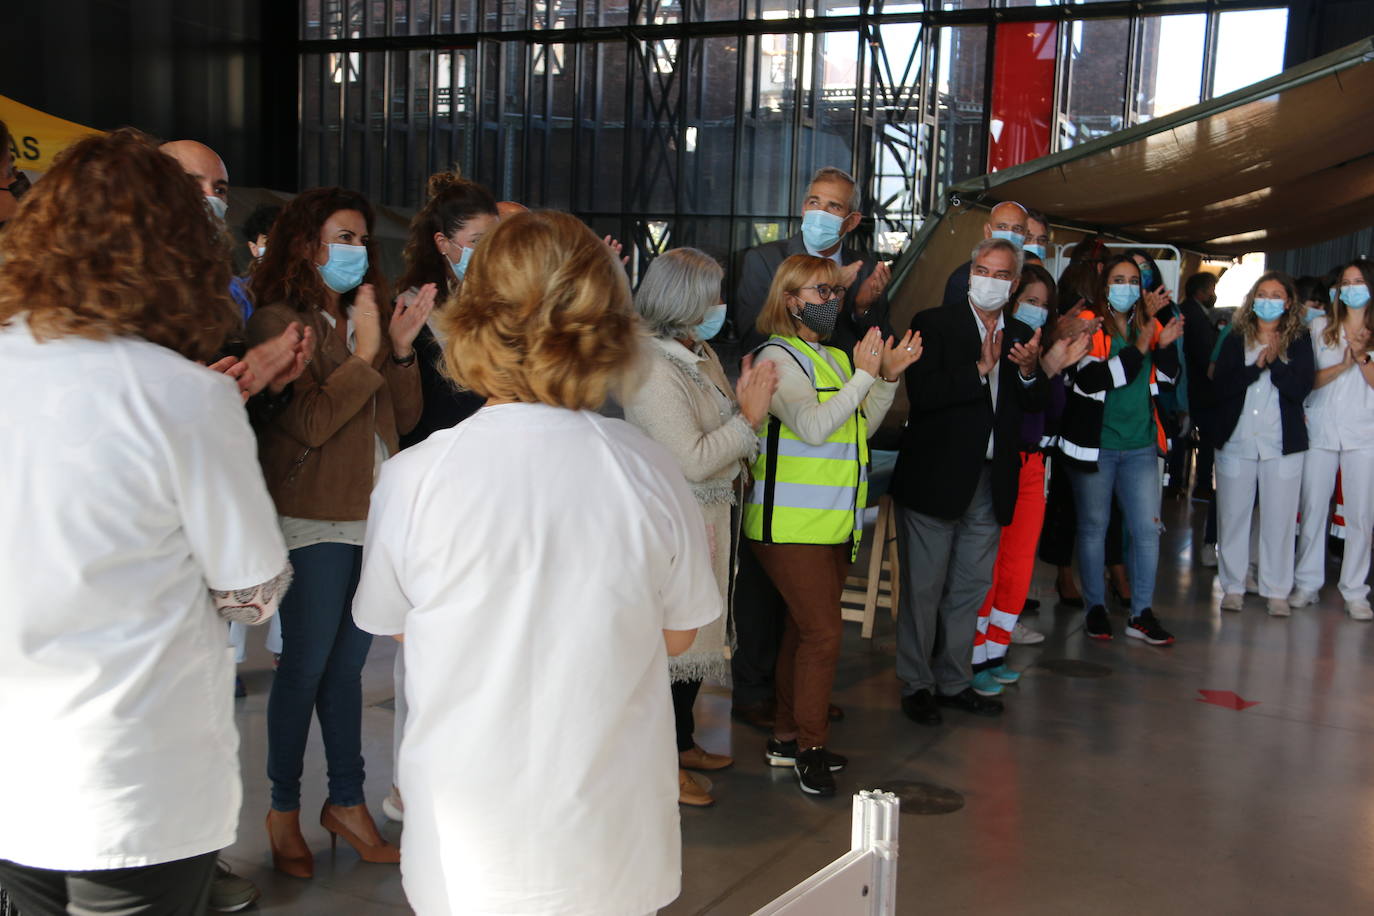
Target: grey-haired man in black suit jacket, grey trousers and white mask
956, 483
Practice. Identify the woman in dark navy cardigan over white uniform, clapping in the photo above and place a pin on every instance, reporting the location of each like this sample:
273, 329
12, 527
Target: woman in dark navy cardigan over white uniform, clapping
1262, 376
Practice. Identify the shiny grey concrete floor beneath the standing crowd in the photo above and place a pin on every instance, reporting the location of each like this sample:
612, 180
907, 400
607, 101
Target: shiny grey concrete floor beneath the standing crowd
1116, 794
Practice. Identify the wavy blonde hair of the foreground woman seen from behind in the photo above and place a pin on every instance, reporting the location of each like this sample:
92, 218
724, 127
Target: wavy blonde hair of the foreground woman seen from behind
543, 317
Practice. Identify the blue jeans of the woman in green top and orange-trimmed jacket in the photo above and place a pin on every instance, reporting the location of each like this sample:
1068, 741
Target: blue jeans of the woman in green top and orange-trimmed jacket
1134, 477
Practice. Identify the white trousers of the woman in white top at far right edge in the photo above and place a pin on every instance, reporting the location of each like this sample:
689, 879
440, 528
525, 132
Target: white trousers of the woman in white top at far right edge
1357, 469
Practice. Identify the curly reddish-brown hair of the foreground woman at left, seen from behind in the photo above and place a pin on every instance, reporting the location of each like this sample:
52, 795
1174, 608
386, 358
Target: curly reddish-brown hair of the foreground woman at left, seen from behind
117, 241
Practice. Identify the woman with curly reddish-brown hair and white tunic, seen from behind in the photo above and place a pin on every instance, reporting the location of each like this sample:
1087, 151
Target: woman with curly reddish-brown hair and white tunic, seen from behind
139, 524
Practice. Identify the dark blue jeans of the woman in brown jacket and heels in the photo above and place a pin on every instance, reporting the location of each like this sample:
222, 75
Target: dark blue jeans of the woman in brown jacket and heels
322, 672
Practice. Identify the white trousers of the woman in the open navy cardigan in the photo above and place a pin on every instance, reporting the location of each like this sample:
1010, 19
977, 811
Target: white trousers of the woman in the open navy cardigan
1237, 481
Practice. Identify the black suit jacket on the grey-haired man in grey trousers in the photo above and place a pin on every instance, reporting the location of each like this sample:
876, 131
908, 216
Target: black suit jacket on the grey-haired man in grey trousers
946, 443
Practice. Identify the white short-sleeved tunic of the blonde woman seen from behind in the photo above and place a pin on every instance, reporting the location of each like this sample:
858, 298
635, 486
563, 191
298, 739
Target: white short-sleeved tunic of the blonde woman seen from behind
532, 557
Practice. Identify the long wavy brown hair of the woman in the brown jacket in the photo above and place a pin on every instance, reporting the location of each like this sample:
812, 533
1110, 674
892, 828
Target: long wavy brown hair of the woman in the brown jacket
288, 273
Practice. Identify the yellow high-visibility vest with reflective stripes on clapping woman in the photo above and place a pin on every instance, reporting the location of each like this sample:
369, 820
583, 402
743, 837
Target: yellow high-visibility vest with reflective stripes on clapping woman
810, 494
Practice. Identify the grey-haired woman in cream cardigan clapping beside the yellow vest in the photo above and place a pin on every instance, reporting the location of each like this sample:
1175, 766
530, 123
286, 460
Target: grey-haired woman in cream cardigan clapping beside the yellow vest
686, 406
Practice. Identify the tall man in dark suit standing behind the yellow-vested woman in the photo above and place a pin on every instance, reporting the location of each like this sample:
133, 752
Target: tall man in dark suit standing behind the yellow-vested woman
829, 214
